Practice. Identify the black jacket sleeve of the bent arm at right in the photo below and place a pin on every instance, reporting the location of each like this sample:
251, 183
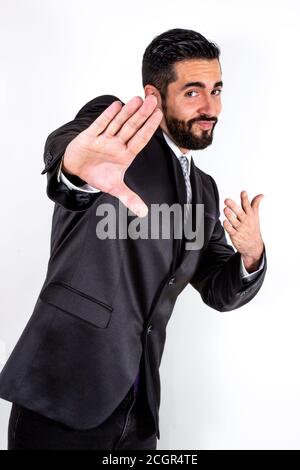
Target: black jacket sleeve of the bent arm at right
218, 278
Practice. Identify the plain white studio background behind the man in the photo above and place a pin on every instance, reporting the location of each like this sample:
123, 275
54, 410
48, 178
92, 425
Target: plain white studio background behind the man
229, 380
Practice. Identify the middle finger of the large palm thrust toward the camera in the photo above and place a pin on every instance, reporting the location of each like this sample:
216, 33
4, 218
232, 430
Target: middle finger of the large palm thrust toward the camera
133, 124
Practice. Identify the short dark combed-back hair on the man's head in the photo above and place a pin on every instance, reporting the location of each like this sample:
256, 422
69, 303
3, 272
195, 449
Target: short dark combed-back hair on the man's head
170, 47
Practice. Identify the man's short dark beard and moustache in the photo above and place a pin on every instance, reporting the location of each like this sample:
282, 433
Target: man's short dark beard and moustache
182, 132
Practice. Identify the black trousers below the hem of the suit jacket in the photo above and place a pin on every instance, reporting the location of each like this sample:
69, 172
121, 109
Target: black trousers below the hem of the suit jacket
129, 427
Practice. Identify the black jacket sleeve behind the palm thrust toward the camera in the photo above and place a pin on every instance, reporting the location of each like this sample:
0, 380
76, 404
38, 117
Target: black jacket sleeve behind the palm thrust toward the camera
54, 150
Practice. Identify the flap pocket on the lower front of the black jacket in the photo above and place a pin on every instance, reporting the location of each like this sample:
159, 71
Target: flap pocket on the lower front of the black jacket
76, 303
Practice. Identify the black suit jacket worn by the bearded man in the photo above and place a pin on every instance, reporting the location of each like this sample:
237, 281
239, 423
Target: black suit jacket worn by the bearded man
105, 304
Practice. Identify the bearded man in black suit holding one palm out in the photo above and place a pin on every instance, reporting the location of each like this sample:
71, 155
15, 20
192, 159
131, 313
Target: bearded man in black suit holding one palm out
85, 371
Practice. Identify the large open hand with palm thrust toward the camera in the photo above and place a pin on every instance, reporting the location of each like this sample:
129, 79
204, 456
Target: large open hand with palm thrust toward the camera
101, 154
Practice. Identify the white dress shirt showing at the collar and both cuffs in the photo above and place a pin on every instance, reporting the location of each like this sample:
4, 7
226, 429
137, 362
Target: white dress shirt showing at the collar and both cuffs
90, 189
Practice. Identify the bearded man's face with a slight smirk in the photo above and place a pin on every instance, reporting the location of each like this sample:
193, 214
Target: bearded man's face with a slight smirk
193, 104
